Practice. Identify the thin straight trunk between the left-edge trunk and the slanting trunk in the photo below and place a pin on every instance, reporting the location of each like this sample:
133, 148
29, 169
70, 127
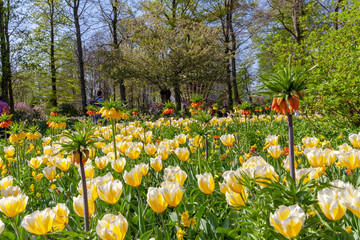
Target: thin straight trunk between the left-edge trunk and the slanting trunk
53, 98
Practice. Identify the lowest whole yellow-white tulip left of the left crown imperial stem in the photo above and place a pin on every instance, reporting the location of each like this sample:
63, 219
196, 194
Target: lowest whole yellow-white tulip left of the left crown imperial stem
39, 222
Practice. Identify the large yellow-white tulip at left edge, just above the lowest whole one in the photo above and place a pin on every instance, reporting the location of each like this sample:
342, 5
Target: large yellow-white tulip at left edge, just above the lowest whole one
11, 206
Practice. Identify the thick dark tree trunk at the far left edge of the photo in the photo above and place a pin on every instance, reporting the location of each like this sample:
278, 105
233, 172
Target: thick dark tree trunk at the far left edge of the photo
5, 53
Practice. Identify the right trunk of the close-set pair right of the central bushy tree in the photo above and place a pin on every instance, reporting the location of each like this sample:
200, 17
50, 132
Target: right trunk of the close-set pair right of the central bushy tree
233, 51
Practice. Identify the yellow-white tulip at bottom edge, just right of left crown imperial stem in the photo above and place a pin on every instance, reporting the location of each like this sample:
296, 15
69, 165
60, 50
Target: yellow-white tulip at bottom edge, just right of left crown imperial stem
112, 227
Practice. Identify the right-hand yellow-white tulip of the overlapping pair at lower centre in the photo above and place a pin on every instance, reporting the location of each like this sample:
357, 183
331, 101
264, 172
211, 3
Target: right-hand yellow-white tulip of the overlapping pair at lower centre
172, 192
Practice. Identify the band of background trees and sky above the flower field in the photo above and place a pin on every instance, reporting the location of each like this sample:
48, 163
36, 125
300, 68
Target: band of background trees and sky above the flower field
56, 52
